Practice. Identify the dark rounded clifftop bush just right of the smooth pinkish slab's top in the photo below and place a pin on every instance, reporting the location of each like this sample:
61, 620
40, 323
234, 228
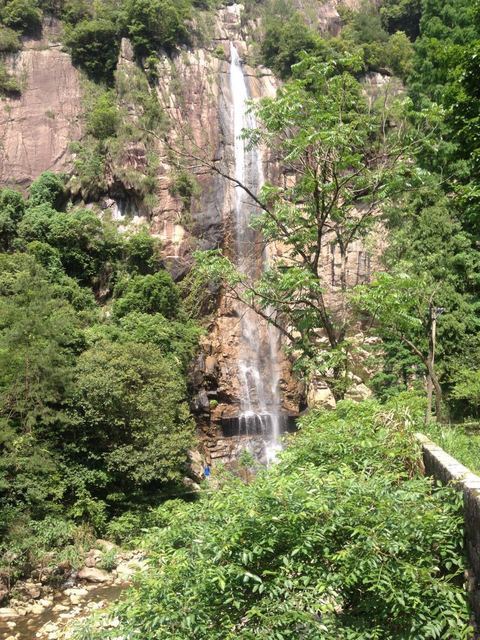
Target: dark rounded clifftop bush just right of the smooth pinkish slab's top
94, 47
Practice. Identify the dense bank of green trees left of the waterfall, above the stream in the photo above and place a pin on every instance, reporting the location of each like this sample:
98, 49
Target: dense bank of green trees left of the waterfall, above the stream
94, 346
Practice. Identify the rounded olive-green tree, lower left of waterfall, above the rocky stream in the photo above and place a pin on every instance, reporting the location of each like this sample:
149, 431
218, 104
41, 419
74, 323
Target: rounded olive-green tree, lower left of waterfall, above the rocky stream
132, 403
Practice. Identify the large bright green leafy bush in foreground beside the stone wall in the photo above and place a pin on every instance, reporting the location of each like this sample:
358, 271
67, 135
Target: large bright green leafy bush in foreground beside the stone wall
301, 552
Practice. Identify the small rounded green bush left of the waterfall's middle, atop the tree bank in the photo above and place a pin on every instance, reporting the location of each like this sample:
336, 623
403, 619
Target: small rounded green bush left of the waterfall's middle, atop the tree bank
154, 293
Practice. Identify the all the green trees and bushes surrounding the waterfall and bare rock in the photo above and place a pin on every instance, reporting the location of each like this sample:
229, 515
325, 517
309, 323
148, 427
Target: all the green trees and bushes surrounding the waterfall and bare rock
343, 538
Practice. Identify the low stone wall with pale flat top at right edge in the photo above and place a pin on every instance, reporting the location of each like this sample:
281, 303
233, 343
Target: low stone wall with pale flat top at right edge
443, 467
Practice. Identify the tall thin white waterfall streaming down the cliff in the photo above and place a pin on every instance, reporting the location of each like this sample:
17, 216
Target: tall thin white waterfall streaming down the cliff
258, 359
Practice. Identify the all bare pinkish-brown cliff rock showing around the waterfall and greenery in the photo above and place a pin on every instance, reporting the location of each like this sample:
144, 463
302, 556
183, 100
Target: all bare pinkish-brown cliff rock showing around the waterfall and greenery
194, 90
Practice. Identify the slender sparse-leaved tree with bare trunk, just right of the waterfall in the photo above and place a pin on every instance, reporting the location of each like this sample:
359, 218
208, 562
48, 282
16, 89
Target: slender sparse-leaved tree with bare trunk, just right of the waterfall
345, 165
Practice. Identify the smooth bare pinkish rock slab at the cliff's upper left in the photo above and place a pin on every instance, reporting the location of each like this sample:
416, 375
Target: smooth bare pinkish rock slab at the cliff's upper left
37, 128
